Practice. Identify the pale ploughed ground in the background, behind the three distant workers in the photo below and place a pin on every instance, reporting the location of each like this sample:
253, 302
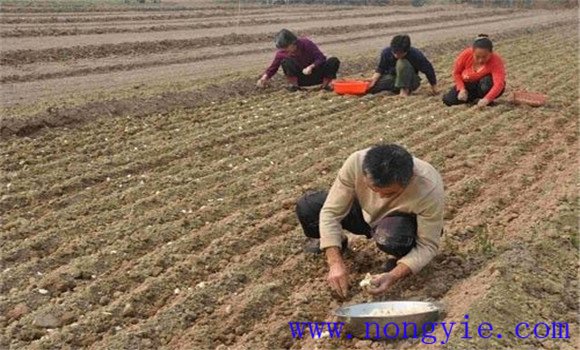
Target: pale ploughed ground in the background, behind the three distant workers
49, 59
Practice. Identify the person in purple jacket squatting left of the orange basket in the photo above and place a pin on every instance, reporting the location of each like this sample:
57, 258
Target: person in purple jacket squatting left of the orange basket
302, 62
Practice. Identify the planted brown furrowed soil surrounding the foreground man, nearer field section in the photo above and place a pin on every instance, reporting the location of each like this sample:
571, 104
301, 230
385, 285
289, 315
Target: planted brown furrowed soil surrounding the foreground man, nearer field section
178, 229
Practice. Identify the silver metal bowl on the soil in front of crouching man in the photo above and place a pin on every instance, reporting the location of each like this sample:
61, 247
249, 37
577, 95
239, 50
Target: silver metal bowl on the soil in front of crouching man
388, 320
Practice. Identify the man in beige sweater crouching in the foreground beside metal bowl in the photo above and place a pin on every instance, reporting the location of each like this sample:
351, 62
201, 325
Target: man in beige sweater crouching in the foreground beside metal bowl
387, 195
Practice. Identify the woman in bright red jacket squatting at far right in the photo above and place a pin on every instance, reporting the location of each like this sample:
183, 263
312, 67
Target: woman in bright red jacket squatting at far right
479, 75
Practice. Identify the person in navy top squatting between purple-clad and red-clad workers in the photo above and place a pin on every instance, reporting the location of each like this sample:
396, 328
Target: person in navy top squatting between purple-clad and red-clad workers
399, 67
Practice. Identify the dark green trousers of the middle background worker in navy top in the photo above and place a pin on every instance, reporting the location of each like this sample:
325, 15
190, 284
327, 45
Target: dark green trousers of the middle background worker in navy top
405, 77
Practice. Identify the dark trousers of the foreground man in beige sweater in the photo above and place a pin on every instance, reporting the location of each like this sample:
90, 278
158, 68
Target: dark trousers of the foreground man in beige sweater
395, 234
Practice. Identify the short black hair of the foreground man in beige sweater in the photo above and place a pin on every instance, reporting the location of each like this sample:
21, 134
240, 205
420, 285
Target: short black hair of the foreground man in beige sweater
388, 164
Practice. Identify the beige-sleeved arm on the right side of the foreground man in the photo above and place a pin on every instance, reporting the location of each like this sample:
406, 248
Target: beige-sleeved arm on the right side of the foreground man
429, 226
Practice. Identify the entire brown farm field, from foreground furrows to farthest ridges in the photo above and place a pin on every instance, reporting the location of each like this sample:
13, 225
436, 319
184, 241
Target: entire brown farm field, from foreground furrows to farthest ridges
147, 190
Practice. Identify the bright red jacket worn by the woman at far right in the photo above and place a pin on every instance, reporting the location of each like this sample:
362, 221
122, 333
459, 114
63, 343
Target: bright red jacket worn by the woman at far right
463, 72
